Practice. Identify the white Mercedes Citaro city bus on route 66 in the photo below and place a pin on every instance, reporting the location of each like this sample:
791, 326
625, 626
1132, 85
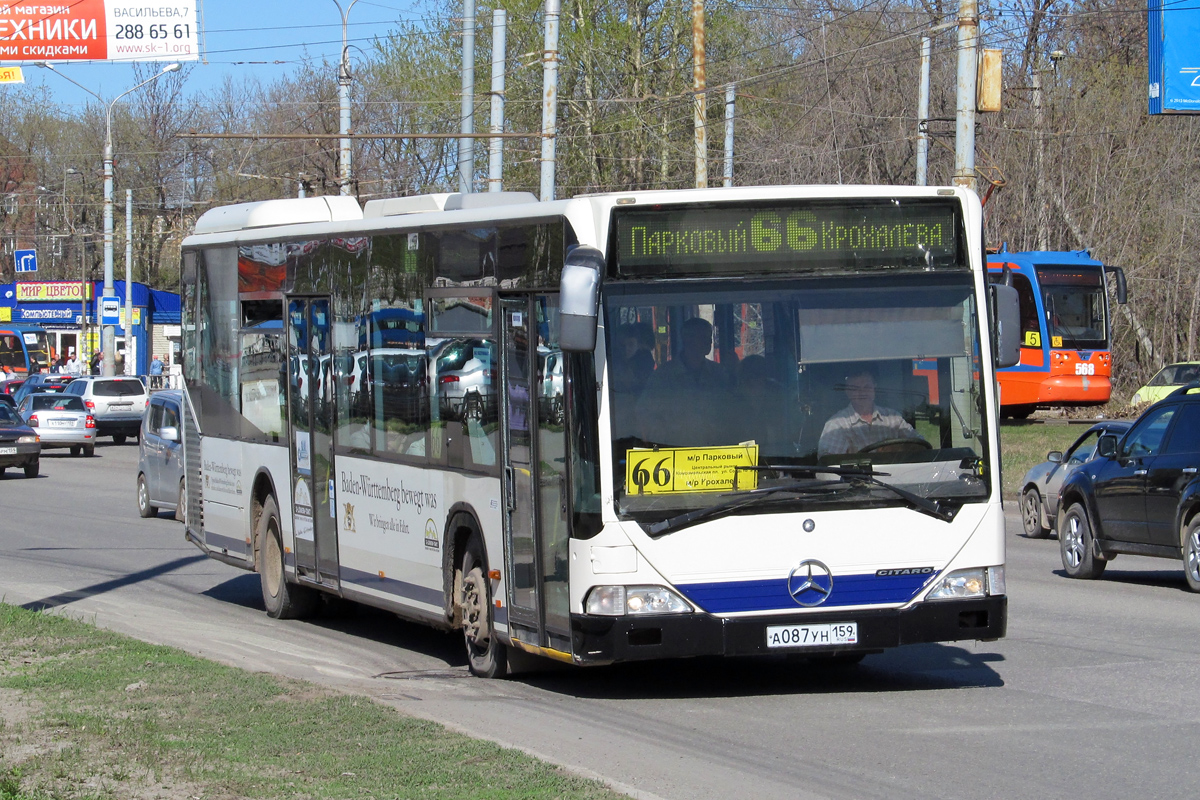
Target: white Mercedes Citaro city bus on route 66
598, 430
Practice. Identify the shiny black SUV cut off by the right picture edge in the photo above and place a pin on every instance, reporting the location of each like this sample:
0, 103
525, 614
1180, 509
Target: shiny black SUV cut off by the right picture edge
1141, 495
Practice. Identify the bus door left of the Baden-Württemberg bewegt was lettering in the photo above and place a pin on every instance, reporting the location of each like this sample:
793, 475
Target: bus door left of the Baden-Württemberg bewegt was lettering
311, 410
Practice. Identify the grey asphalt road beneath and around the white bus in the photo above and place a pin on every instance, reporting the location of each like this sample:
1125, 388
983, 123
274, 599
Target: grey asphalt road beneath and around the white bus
1091, 695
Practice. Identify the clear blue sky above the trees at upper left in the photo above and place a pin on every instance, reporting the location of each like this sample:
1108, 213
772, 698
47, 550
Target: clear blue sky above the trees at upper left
267, 39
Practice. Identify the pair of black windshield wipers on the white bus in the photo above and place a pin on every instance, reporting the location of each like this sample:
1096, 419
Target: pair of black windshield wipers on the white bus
848, 477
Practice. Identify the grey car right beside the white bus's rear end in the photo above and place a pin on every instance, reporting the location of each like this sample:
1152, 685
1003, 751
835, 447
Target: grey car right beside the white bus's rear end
161, 456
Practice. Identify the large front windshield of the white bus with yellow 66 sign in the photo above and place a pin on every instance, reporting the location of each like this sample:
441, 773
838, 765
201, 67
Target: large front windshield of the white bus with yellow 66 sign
710, 378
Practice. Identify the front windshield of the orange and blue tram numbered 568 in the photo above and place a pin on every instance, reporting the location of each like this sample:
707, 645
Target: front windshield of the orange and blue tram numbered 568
1075, 306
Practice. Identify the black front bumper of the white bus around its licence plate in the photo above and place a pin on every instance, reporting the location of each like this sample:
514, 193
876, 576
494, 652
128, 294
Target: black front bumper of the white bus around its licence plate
608, 640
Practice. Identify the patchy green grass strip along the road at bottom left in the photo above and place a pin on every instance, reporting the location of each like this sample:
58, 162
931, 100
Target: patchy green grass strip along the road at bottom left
88, 714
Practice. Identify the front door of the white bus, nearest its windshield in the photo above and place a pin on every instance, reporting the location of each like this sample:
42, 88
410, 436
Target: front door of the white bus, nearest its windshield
536, 486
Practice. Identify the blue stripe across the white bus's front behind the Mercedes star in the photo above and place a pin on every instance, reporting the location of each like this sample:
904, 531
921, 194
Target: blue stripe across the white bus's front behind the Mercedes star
734, 597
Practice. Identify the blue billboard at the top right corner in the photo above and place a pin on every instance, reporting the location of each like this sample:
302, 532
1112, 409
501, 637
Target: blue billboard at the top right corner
1174, 61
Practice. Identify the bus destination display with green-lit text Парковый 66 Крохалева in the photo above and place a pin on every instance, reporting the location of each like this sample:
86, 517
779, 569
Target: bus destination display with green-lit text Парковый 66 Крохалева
723, 239
